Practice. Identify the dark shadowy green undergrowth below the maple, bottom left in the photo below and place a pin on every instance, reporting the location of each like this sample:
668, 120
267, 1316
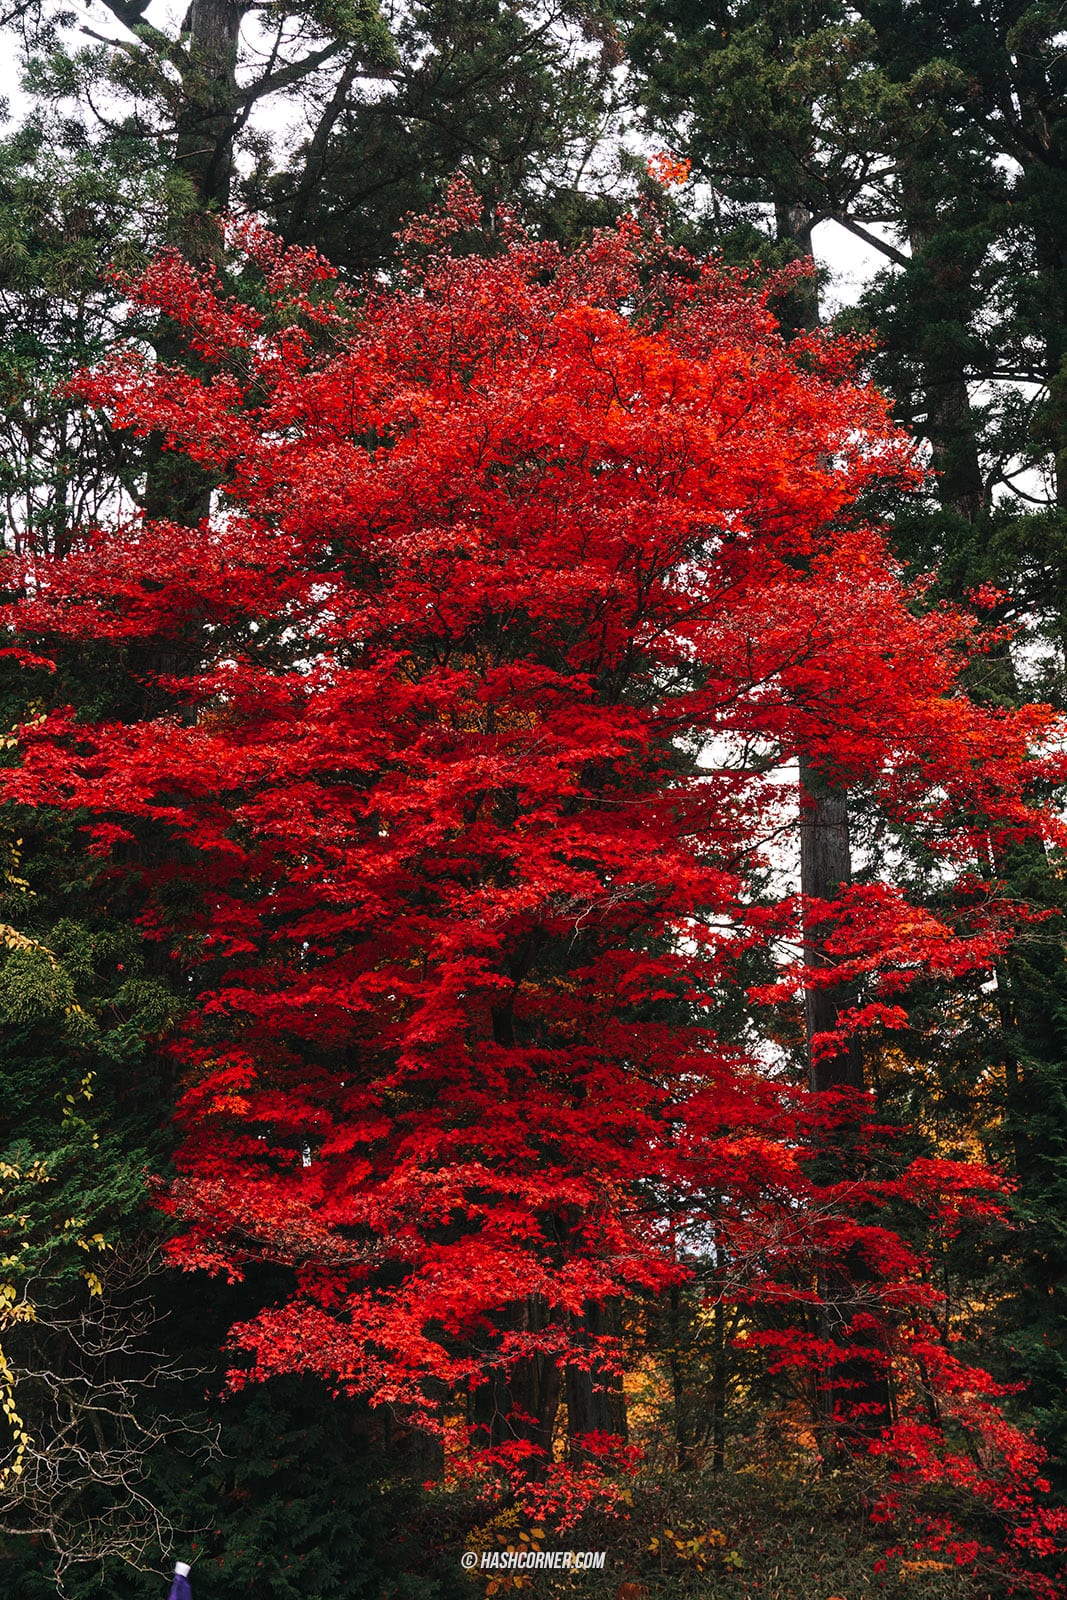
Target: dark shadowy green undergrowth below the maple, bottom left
297, 1502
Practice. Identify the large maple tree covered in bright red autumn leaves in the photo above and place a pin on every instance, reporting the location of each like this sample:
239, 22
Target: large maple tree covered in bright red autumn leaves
468, 727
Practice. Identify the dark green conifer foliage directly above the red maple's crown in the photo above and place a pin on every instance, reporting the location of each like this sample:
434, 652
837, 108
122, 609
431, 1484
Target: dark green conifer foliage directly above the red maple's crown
510, 94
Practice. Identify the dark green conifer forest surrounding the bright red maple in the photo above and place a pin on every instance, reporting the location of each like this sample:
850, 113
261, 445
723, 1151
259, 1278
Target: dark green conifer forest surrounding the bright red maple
933, 135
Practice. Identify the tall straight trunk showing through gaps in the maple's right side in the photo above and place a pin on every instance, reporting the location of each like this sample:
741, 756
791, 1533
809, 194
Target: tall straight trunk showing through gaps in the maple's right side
825, 870
